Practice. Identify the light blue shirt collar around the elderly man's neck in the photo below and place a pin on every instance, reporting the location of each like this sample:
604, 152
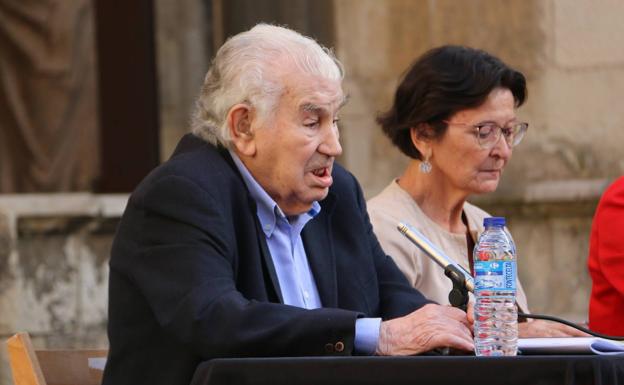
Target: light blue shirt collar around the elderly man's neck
267, 210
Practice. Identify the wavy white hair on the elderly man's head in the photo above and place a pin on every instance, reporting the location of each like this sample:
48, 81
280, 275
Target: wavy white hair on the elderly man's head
244, 71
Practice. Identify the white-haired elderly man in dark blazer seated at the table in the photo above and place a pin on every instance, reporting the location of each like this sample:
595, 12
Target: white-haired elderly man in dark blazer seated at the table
250, 241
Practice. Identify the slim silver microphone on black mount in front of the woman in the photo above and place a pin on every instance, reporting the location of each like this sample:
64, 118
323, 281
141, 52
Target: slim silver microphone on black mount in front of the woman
462, 280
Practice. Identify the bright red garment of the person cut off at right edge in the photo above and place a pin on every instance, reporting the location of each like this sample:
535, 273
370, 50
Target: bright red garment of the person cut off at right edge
606, 262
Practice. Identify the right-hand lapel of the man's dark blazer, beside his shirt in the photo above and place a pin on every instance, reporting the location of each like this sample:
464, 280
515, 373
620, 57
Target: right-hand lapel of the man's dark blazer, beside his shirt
319, 250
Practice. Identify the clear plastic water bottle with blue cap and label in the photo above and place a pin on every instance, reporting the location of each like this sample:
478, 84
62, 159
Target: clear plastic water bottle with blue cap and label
495, 311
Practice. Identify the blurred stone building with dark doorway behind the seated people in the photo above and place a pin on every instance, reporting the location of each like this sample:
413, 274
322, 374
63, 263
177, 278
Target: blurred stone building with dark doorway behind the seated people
95, 93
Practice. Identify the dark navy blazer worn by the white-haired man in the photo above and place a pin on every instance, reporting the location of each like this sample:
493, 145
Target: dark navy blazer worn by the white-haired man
191, 277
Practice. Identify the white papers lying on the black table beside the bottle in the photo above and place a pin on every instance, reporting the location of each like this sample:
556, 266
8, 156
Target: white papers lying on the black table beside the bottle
587, 345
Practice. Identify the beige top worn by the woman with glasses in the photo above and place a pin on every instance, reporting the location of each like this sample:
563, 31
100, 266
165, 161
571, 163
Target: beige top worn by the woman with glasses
394, 205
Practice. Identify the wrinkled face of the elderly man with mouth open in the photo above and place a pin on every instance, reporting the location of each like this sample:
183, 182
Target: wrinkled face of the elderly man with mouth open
297, 145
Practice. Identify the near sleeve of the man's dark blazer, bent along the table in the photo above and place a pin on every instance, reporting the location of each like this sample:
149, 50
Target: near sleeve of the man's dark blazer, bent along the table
184, 265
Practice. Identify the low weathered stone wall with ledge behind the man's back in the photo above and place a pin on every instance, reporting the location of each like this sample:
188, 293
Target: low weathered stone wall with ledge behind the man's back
54, 251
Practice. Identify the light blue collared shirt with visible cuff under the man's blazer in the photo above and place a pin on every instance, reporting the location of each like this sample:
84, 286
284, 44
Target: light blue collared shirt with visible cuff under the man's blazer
297, 284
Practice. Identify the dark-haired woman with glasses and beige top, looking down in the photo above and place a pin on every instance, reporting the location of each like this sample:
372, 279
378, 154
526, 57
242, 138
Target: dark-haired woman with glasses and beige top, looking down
454, 115
